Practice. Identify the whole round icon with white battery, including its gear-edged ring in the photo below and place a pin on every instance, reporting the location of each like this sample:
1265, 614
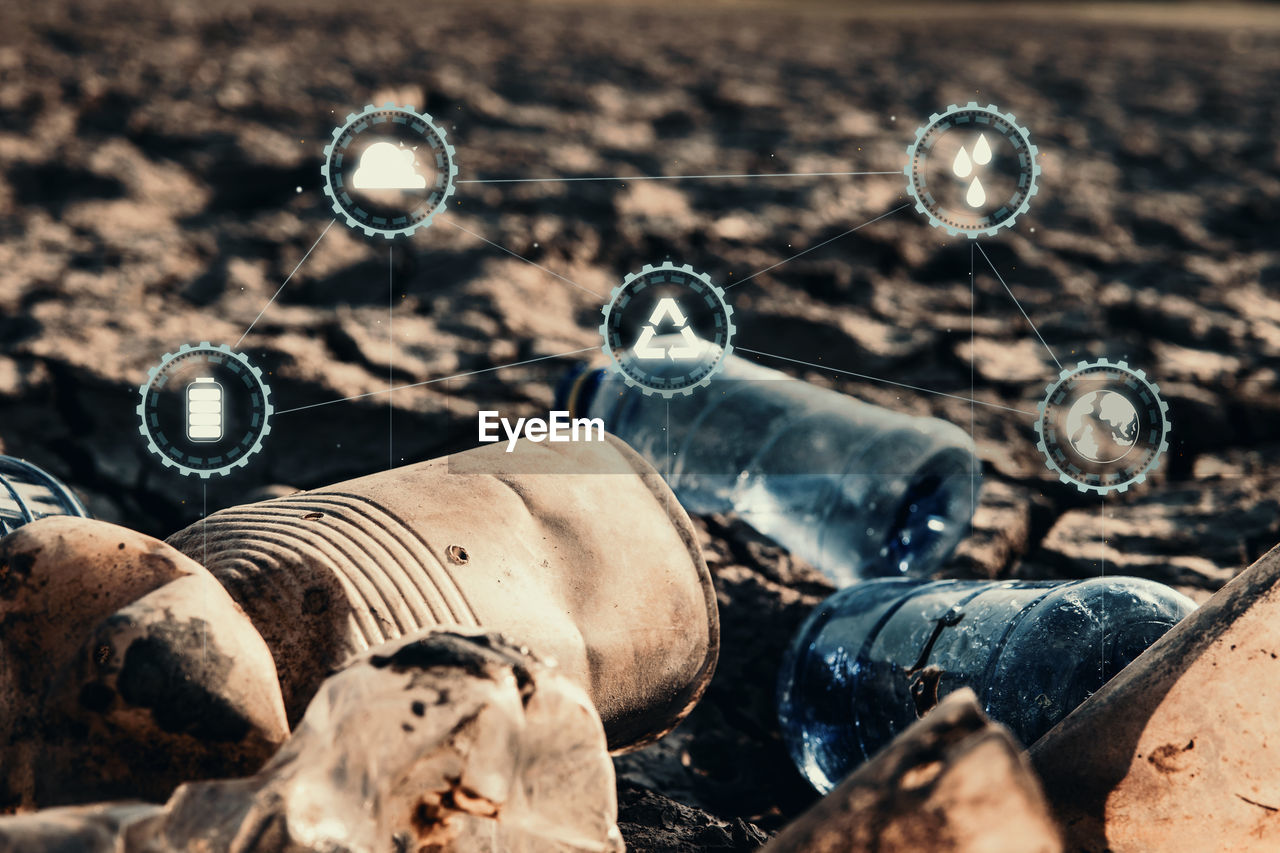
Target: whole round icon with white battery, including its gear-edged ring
205, 410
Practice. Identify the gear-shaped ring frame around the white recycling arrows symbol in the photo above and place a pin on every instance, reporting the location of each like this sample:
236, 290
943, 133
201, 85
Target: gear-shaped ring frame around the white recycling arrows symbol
702, 286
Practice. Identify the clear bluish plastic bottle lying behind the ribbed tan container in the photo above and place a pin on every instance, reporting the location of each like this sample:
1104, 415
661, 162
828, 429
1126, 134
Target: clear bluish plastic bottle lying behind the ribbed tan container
857, 490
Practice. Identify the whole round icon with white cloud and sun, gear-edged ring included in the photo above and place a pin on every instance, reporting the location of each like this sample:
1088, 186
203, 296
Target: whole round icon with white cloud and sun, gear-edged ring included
388, 171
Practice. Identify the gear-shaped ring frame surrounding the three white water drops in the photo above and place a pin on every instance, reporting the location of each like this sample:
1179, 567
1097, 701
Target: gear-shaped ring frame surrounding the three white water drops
973, 115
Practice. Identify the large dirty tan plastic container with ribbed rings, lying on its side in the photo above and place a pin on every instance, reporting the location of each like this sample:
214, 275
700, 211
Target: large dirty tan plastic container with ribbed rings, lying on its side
556, 545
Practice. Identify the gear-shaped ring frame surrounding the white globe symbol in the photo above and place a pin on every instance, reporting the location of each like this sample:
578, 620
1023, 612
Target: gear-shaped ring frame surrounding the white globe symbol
1049, 443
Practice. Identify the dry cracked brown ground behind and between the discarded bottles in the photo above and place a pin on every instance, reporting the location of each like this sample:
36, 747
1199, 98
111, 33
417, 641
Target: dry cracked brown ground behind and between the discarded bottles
159, 180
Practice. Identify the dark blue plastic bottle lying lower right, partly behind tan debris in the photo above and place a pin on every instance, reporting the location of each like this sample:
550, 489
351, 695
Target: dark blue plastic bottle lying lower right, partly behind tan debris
875, 658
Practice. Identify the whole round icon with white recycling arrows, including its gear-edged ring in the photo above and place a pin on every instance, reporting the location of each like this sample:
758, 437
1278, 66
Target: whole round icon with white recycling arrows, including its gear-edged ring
668, 330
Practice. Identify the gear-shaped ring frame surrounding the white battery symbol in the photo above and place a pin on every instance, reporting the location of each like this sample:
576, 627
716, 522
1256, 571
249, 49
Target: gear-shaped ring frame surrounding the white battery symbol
208, 467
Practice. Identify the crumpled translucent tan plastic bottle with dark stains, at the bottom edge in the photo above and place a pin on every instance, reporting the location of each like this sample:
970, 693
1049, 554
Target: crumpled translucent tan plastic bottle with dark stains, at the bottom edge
456, 741
